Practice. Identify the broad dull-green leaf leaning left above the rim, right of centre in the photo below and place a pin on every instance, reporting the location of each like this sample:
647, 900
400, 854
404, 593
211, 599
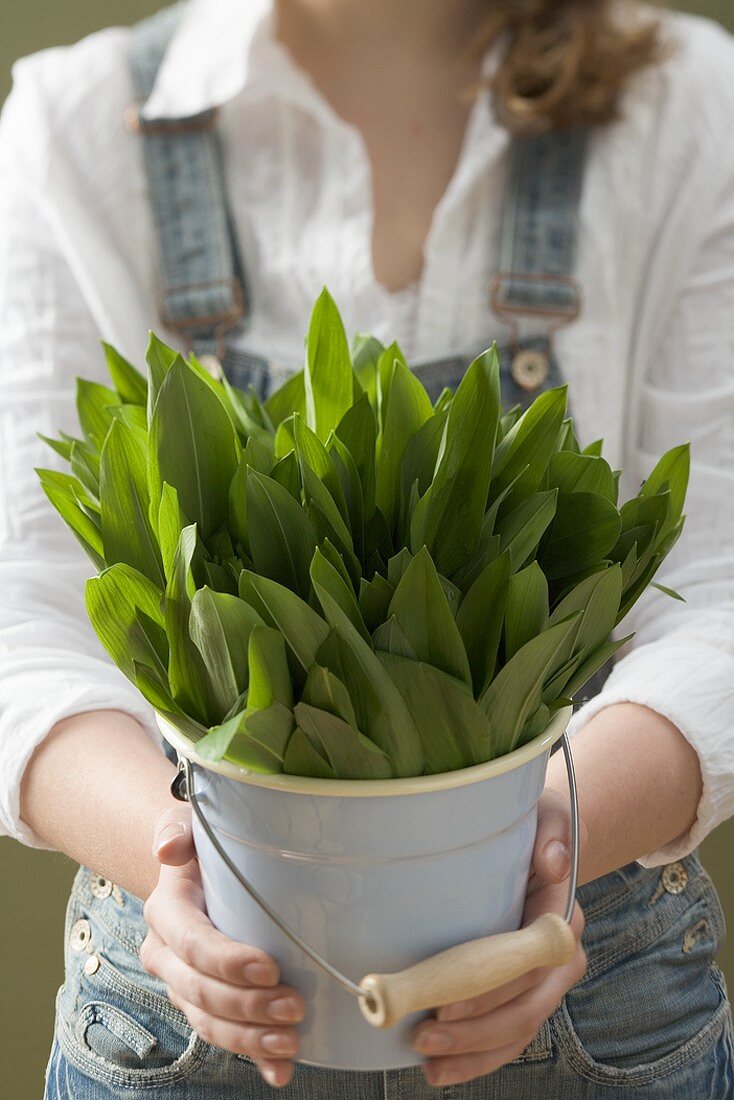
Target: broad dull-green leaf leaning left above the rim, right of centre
454, 730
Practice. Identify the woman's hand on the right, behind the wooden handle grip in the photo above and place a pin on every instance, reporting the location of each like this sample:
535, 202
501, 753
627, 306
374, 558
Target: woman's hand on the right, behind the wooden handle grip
475, 1038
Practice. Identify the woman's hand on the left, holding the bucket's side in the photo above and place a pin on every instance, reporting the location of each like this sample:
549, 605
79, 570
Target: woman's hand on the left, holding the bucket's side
228, 992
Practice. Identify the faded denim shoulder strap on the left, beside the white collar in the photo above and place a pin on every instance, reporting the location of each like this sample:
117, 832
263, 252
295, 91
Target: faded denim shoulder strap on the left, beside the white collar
203, 292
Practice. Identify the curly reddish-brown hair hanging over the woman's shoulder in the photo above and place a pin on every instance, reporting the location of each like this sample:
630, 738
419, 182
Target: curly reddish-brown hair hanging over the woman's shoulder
565, 63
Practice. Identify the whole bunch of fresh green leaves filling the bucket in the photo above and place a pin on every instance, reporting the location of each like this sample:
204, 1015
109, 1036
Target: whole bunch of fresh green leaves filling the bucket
348, 580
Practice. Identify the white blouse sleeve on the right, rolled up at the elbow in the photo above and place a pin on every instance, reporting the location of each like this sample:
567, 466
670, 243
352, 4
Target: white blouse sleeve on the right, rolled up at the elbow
682, 663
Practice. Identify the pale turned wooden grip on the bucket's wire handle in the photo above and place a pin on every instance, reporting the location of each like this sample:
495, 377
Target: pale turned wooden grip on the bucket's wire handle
467, 971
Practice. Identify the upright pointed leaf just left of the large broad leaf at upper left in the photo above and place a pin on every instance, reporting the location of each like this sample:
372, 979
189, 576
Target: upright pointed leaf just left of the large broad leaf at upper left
127, 532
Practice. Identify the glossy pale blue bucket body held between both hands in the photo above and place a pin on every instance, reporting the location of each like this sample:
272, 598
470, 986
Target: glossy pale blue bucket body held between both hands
374, 882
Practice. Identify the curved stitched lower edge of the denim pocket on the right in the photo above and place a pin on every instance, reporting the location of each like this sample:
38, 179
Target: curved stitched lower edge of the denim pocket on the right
637, 1076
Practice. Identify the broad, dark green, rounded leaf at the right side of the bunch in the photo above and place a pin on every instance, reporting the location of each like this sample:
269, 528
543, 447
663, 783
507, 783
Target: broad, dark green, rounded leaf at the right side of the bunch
584, 532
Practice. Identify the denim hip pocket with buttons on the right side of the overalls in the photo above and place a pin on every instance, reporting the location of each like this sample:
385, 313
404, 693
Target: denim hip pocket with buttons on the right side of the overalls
653, 1002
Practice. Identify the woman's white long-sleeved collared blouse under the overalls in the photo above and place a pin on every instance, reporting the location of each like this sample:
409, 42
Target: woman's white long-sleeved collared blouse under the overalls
651, 361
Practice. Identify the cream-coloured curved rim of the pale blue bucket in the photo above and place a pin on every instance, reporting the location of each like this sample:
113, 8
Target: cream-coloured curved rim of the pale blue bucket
374, 788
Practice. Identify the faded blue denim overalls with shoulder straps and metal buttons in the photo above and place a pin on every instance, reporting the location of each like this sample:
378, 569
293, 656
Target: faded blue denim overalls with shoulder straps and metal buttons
651, 1018
